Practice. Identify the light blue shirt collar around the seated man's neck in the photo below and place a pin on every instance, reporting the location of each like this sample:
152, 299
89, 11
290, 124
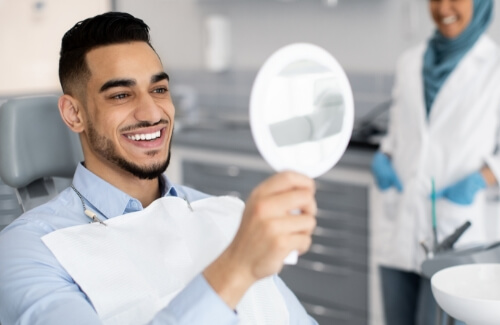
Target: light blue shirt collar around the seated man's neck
107, 200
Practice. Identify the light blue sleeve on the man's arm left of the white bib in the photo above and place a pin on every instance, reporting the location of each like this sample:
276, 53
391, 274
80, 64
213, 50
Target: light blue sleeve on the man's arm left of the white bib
34, 288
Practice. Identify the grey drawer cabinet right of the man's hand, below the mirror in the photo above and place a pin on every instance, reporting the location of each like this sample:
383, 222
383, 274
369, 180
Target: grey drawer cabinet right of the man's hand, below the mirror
332, 279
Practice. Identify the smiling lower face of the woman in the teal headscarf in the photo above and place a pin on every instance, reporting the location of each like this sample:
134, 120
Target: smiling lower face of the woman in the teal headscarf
451, 16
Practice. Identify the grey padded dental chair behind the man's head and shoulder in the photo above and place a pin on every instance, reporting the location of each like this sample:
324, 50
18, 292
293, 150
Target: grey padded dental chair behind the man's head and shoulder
38, 154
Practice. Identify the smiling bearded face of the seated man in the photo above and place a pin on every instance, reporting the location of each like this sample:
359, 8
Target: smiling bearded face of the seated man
129, 113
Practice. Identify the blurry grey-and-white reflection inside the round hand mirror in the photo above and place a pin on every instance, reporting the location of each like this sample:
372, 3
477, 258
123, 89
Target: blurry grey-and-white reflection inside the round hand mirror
315, 109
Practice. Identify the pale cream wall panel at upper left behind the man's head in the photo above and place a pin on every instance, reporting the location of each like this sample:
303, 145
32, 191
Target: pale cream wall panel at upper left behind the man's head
30, 40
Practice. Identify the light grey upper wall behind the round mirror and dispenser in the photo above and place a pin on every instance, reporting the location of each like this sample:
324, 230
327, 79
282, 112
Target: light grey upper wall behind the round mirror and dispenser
364, 35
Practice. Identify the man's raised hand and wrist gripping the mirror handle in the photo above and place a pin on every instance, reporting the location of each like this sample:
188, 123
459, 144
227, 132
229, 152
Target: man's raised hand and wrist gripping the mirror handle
270, 229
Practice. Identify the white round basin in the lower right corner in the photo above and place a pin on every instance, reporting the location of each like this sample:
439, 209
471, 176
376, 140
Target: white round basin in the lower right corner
470, 293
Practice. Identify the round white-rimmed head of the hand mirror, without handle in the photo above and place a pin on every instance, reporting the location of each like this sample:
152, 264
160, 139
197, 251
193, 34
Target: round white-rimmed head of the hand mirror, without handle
301, 110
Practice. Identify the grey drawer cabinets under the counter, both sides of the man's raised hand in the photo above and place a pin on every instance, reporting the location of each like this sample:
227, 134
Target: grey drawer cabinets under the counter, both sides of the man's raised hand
332, 280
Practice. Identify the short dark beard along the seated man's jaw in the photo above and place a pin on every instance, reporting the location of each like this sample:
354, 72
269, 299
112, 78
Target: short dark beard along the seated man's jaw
105, 148
